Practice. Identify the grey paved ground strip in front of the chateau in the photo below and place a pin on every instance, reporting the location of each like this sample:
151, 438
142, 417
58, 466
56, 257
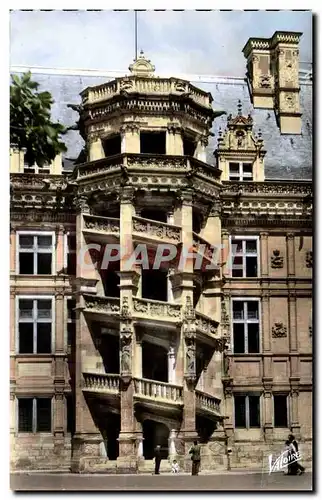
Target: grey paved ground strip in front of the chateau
102, 482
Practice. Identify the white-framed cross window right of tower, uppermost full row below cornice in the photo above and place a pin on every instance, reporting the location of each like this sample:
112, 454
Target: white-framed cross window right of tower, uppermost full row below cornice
244, 253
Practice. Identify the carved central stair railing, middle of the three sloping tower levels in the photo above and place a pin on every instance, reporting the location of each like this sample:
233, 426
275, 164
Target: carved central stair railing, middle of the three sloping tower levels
156, 309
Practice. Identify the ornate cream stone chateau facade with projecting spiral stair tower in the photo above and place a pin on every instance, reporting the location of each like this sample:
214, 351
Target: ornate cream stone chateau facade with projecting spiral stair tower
111, 355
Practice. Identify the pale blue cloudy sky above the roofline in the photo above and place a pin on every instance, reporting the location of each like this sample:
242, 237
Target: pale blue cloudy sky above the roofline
191, 42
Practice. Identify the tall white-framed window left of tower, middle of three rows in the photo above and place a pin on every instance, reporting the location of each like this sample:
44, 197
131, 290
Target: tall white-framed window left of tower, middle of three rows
35, 325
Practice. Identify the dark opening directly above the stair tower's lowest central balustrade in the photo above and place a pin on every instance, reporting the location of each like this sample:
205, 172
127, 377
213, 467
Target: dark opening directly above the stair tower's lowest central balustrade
154, 362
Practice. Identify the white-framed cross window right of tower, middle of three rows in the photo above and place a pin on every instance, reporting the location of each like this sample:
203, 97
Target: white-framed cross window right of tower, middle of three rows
246, 326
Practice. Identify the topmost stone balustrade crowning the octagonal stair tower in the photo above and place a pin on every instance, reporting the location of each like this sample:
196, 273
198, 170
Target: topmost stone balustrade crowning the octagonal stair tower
145, 86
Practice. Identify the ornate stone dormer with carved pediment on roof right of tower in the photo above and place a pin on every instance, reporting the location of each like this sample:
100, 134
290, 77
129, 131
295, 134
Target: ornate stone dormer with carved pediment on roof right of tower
238, 143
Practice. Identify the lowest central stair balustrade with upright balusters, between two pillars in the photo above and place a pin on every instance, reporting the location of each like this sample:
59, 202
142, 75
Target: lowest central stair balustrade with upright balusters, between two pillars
158, 390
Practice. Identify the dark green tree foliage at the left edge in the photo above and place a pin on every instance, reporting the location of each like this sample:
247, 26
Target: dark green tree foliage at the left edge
30, 122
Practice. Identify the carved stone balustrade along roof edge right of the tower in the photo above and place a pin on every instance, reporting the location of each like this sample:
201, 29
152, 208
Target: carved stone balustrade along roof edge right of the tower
273, 188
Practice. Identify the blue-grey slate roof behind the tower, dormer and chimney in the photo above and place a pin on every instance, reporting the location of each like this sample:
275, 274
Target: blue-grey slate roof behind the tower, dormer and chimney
288, 156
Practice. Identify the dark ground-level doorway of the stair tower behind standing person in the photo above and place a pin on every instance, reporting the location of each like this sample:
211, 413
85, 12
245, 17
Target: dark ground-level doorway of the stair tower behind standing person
155, 433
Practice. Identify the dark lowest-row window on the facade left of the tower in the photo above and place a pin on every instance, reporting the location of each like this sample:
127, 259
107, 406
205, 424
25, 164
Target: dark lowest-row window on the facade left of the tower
34, 415
